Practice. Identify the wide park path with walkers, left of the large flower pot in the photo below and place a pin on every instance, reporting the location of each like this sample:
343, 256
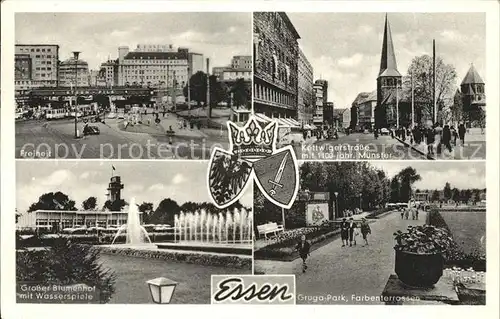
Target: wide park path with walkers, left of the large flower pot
335, 271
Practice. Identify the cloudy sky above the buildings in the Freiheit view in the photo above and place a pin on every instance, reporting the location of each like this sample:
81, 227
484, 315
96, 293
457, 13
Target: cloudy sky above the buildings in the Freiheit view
218, 36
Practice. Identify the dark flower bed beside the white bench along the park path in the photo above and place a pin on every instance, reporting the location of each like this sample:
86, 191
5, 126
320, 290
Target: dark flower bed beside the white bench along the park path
284, 248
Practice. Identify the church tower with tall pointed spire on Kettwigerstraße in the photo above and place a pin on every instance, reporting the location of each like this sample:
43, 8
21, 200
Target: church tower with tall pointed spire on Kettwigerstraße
388, 82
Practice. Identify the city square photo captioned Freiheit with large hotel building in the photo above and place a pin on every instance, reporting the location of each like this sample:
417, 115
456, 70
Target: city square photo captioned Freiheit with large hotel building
130, 85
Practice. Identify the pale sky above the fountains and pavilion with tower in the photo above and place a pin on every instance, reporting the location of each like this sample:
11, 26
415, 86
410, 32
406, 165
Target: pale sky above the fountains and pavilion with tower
149, 181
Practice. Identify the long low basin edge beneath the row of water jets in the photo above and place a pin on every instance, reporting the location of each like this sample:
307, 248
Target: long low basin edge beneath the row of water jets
224, 248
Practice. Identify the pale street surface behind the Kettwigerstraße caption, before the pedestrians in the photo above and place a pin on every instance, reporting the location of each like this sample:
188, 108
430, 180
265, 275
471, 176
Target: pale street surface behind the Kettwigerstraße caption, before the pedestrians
357, 146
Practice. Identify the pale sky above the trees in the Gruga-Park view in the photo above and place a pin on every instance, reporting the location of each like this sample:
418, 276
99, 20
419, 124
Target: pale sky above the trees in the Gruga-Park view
434, 175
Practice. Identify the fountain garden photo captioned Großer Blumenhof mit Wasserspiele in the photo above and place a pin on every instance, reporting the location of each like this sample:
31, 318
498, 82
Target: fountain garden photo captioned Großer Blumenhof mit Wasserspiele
125, 232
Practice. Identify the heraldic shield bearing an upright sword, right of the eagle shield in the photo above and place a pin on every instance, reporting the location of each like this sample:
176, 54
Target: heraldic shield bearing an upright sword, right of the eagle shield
276, 177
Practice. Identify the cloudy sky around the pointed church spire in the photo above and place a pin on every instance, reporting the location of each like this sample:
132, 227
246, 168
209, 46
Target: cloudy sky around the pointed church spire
344, 48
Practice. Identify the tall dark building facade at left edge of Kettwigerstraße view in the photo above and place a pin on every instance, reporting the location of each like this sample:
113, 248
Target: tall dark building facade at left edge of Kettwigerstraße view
276, 56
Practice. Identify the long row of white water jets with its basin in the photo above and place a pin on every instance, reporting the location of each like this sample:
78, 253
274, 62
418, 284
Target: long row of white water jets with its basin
229, 232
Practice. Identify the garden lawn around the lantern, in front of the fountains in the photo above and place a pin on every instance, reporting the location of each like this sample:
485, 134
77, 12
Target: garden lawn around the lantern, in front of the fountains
132, 273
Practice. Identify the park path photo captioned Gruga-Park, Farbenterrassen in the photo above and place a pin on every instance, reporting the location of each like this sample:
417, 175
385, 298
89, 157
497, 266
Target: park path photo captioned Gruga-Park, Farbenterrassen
379, 232
